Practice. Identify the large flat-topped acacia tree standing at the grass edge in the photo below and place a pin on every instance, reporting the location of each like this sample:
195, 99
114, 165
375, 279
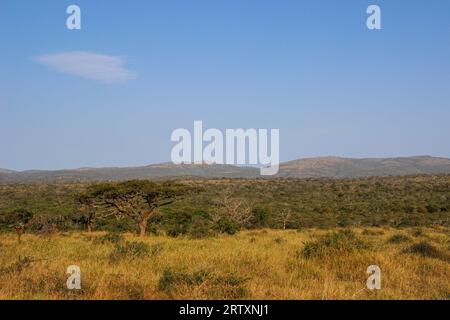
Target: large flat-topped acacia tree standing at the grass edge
138, 199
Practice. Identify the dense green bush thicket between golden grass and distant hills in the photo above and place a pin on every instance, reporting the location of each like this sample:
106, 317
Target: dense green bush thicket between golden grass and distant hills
226, 206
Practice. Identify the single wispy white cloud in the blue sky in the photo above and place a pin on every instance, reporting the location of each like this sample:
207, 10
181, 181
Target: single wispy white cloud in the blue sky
93, 66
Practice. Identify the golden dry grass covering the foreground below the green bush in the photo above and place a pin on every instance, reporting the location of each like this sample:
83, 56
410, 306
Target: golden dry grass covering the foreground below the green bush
263, 264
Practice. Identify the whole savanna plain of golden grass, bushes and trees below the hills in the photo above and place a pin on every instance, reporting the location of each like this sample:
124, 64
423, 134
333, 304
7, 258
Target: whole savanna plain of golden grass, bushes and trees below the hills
227, 238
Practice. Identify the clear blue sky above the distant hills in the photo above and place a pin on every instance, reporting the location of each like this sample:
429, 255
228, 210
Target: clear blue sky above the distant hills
310, 68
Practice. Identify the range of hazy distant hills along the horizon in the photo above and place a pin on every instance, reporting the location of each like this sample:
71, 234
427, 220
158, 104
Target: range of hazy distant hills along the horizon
321, 167
